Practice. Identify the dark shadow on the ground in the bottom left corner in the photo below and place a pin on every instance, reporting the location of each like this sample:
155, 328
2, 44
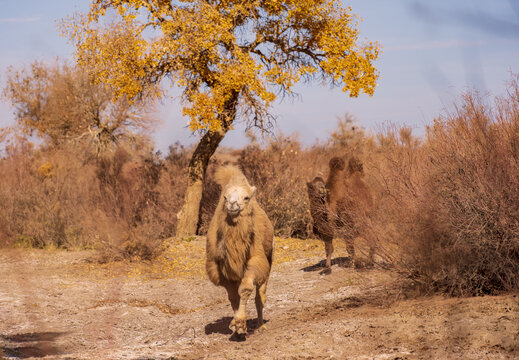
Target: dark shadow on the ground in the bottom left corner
30, 345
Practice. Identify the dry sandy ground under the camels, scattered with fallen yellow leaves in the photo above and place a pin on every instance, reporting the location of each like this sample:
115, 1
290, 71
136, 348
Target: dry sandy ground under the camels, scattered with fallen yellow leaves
61, 305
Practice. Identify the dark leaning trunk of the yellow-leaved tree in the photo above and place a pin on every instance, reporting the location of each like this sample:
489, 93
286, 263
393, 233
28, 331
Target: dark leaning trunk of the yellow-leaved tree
188, 216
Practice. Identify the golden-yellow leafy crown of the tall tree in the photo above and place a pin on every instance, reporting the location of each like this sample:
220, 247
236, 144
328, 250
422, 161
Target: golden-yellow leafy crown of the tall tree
227, 56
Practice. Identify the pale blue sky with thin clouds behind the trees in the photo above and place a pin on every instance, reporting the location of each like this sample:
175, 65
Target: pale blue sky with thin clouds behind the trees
432, 53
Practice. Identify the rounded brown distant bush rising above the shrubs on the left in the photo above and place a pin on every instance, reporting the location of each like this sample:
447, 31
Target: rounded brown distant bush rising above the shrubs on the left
58, 102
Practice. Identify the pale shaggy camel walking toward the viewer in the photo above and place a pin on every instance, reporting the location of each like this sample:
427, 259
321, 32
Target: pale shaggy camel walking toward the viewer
239, 246
